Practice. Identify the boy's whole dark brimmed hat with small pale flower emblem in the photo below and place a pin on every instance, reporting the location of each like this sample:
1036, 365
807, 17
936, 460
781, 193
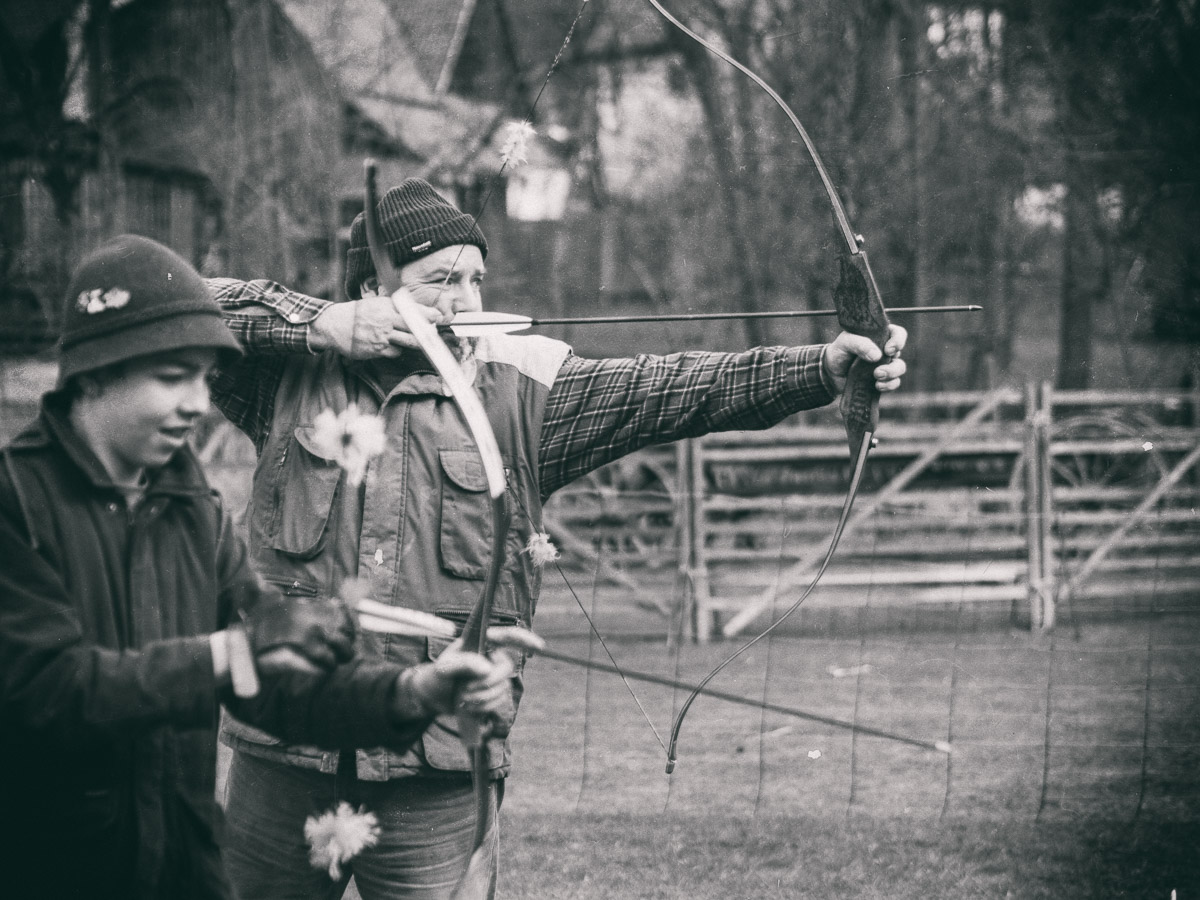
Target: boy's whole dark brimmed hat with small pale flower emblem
133, 297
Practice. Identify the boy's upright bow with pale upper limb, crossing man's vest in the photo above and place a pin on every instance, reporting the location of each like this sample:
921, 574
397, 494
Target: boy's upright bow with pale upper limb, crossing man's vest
477, 877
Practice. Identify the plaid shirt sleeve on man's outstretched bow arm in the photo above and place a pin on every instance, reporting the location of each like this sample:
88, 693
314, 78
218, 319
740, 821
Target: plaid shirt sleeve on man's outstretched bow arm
599, 411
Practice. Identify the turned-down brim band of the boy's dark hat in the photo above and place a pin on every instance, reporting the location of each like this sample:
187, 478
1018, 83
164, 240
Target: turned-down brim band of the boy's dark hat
175, 333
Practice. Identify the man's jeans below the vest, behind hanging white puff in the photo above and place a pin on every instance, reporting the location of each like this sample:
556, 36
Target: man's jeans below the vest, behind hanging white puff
427, 831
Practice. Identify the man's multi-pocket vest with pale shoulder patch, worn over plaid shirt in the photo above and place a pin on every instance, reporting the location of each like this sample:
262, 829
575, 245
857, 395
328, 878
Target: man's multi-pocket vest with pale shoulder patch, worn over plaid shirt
418, 530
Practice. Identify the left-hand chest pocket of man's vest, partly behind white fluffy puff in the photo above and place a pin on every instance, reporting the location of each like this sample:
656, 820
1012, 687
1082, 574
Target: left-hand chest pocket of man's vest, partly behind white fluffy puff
305, 488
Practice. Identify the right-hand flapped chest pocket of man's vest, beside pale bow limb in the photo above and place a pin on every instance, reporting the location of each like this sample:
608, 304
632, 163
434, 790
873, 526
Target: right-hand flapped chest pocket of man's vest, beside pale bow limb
466, 529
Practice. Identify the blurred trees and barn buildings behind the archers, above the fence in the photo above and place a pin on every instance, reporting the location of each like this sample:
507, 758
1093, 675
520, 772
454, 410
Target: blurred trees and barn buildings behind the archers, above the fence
1040, 159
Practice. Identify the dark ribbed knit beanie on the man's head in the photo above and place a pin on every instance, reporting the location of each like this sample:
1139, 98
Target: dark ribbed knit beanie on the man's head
416, 223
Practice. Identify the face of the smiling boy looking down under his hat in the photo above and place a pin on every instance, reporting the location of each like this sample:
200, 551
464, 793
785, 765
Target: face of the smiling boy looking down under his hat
147, 411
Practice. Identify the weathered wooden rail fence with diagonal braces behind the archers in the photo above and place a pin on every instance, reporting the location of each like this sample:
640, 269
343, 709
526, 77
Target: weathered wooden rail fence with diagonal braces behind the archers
1035, 499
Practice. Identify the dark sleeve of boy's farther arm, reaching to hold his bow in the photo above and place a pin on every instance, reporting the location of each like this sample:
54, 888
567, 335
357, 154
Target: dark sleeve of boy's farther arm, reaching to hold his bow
359, 705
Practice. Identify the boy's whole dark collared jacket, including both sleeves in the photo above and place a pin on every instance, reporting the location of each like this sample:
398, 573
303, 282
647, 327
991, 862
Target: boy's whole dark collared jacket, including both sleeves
109, 705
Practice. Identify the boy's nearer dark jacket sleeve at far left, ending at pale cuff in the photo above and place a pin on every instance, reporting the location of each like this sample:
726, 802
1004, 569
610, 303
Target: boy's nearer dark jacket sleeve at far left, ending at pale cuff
57, 687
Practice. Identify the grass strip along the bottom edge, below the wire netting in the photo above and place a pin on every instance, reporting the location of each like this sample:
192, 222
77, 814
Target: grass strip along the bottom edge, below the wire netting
711, 857
